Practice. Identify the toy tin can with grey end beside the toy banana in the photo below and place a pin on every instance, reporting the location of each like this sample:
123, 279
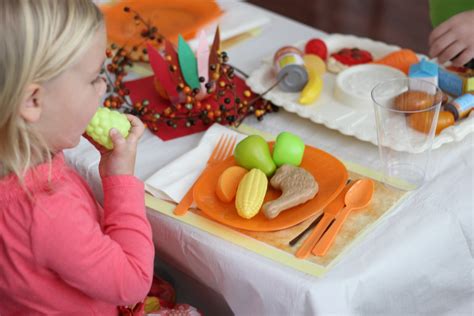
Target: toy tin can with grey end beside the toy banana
289, 67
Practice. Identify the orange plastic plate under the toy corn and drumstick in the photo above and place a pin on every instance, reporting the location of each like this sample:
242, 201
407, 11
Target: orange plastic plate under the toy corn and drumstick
328, 171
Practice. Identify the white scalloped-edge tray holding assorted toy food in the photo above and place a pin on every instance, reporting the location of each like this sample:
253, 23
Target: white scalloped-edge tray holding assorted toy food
347, 119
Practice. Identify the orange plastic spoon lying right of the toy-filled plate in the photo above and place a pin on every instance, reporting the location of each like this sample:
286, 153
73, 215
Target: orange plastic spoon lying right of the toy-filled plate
358, 196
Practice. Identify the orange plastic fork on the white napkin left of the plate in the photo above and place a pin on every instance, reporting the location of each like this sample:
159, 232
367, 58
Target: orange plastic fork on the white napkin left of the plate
222, 150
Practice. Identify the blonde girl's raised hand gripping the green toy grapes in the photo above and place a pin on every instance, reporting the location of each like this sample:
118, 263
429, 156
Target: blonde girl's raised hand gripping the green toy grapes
121, 159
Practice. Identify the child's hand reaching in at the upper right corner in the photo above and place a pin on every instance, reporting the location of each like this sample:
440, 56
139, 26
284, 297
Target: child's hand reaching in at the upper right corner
453, 39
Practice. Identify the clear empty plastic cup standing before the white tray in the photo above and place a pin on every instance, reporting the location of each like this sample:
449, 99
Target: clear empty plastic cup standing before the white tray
406, 115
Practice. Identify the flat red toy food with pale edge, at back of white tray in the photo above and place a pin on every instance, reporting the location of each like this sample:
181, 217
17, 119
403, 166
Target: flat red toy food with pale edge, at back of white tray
347, 57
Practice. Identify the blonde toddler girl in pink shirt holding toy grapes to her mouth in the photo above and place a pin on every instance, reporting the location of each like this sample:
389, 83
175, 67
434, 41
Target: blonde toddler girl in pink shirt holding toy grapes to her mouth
60, 252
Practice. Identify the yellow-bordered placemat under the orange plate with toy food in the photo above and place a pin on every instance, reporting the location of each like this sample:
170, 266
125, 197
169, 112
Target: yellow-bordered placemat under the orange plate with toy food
275, 245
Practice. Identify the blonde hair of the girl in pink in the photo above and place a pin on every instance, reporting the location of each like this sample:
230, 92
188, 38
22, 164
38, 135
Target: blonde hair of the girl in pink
39, 39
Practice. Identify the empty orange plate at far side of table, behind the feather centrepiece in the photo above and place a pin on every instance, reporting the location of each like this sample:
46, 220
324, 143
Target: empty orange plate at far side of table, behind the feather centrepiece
184, 17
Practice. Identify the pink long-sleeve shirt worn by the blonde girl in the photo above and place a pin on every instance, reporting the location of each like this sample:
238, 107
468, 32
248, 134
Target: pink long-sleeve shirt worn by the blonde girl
61, 254
